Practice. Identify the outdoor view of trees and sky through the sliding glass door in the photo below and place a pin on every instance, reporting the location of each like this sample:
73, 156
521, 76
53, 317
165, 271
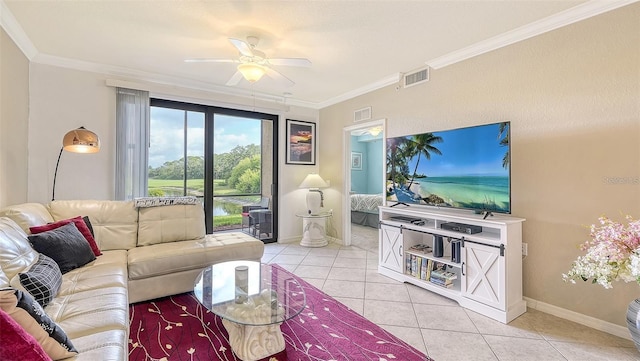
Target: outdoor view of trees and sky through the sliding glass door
177, 160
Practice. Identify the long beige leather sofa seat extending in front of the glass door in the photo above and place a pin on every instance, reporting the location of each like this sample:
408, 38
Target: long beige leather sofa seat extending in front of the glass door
165, 258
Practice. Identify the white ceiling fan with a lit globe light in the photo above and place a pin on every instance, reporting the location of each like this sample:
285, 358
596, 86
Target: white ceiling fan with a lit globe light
253, 64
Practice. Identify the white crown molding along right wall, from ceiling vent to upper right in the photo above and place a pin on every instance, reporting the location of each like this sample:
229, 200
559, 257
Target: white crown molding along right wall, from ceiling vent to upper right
577, 13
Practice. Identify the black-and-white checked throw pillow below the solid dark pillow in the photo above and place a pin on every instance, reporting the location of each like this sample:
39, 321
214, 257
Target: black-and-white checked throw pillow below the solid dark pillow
42, 280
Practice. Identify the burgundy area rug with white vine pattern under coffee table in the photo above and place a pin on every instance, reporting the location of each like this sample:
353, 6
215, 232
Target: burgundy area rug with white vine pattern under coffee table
180, 328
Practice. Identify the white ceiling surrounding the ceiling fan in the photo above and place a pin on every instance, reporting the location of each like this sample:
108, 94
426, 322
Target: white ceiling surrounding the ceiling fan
354, 46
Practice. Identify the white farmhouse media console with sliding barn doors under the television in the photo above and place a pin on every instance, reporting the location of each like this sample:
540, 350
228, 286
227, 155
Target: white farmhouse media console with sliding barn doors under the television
485, 276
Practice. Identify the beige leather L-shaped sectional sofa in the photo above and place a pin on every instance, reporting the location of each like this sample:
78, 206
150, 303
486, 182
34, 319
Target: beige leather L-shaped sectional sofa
146, 253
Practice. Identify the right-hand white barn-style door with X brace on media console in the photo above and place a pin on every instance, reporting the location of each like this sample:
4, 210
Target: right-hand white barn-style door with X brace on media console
483, 277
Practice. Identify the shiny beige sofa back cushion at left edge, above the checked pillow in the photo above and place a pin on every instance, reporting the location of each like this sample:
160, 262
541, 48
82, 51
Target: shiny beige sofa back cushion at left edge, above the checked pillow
17, 254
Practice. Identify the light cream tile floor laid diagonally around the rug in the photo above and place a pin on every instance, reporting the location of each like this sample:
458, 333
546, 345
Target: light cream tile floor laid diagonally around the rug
436, 325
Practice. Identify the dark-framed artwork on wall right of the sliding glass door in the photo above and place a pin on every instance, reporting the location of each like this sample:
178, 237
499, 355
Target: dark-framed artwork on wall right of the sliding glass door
301, 142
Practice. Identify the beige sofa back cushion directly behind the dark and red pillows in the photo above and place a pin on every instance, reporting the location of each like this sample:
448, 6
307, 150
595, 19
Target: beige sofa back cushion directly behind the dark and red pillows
115, 223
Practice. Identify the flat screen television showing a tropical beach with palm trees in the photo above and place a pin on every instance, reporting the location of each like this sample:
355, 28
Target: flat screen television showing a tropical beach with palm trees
467, 168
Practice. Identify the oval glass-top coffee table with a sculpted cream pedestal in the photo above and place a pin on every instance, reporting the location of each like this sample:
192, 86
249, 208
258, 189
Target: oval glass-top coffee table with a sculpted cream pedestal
252, 319
